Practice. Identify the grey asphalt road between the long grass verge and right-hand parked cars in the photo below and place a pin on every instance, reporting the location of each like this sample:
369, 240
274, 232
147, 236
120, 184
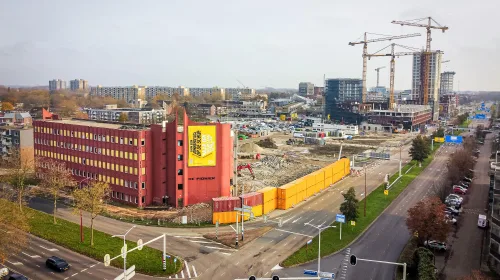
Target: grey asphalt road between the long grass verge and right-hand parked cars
386, 238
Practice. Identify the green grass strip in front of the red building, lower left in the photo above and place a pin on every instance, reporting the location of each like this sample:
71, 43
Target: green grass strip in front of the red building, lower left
67, 234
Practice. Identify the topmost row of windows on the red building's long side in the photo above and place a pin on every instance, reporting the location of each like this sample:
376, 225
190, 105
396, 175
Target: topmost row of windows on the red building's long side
90, 136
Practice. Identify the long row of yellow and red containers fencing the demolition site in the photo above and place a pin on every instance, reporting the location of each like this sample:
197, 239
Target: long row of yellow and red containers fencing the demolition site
287, 196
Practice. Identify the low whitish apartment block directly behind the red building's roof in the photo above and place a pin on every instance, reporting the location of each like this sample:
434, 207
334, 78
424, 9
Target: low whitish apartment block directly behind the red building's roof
134, 115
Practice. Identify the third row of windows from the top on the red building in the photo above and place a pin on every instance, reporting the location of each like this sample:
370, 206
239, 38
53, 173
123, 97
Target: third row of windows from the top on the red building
92, 162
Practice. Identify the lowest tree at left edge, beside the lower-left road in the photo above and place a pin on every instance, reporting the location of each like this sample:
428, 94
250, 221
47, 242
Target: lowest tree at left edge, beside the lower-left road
14, 228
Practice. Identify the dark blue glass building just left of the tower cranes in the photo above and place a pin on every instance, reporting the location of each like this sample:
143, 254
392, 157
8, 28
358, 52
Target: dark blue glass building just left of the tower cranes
340, 95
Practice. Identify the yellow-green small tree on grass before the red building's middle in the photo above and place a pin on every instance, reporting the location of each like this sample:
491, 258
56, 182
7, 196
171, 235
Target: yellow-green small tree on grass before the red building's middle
92, 199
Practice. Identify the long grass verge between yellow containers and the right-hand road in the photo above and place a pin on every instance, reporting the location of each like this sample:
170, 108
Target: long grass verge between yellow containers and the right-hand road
375, 204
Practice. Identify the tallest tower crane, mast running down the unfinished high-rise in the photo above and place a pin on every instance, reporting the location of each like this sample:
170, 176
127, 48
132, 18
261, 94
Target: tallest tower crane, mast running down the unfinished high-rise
425, 58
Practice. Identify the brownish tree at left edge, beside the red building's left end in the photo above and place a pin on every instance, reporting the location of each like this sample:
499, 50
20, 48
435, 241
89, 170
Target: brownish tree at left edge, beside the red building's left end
20, 166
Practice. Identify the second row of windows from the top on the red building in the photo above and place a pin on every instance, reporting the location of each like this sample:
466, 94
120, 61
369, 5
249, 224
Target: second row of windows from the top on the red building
90, 149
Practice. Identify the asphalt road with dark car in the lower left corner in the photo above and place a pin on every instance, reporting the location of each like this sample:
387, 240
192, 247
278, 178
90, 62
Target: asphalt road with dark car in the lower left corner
31, 263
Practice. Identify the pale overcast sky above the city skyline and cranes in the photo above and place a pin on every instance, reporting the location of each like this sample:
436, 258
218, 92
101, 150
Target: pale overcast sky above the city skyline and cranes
262, 43
